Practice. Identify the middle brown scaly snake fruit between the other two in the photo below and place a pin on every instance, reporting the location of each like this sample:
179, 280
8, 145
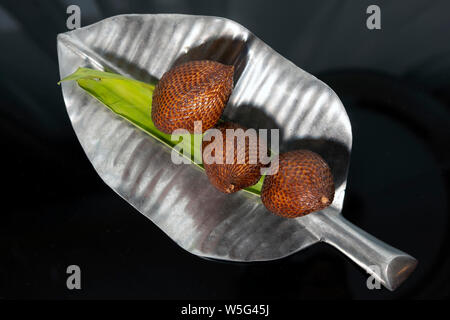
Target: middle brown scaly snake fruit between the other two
235, 176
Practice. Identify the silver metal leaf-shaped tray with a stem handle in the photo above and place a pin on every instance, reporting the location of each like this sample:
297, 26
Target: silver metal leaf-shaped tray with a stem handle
270, 92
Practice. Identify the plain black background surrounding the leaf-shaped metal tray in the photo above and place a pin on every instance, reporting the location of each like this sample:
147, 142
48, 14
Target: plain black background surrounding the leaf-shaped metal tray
394, 83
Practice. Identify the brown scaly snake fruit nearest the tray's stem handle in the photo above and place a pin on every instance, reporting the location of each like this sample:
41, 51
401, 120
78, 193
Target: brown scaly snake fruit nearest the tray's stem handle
303, 184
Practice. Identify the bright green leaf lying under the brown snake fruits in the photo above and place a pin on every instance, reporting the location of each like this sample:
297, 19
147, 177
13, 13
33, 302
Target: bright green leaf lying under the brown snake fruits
132, 100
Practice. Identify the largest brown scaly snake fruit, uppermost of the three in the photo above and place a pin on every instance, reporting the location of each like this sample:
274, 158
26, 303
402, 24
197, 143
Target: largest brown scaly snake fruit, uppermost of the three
192, 91
